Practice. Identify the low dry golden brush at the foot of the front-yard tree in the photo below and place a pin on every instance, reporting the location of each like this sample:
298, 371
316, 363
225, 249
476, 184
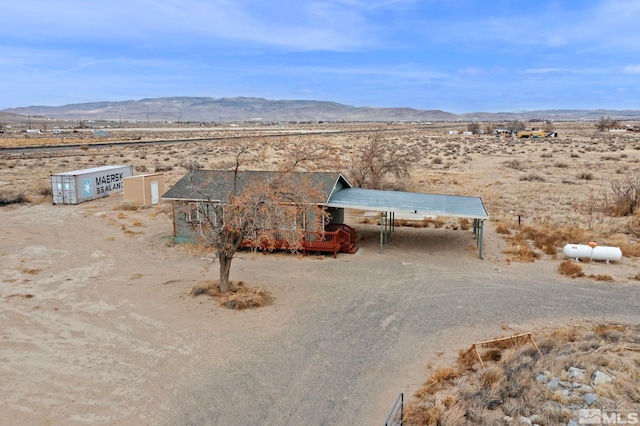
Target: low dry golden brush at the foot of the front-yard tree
238, 297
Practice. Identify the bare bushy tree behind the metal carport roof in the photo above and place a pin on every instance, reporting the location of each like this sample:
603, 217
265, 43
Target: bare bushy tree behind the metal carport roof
378, 159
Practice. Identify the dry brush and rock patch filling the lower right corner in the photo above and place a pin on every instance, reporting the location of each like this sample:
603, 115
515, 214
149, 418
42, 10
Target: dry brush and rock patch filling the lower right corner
581, 366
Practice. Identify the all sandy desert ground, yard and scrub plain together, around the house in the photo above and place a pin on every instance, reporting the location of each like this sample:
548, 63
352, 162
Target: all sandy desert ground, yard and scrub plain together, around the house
99, 326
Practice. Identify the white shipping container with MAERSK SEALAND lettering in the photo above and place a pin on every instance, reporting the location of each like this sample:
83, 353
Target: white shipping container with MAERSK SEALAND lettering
83, 185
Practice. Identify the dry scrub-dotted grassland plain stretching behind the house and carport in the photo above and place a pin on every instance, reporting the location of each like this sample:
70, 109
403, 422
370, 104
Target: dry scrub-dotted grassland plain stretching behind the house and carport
540, 193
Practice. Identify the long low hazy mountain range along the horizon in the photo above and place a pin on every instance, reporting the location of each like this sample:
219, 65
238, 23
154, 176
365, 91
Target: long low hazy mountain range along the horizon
245, 108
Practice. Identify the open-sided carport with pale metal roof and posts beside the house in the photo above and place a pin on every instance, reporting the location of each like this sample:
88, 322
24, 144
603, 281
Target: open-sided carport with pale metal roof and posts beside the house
390, 202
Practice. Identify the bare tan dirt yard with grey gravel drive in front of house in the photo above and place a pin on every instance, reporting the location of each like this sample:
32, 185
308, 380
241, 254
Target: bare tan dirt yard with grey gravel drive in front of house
98, 327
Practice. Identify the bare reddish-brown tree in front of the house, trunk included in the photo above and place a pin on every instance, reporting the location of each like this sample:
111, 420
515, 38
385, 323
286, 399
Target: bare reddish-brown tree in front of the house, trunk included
268, 210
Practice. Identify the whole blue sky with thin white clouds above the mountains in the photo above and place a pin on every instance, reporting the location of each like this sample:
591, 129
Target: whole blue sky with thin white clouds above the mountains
453, 55
